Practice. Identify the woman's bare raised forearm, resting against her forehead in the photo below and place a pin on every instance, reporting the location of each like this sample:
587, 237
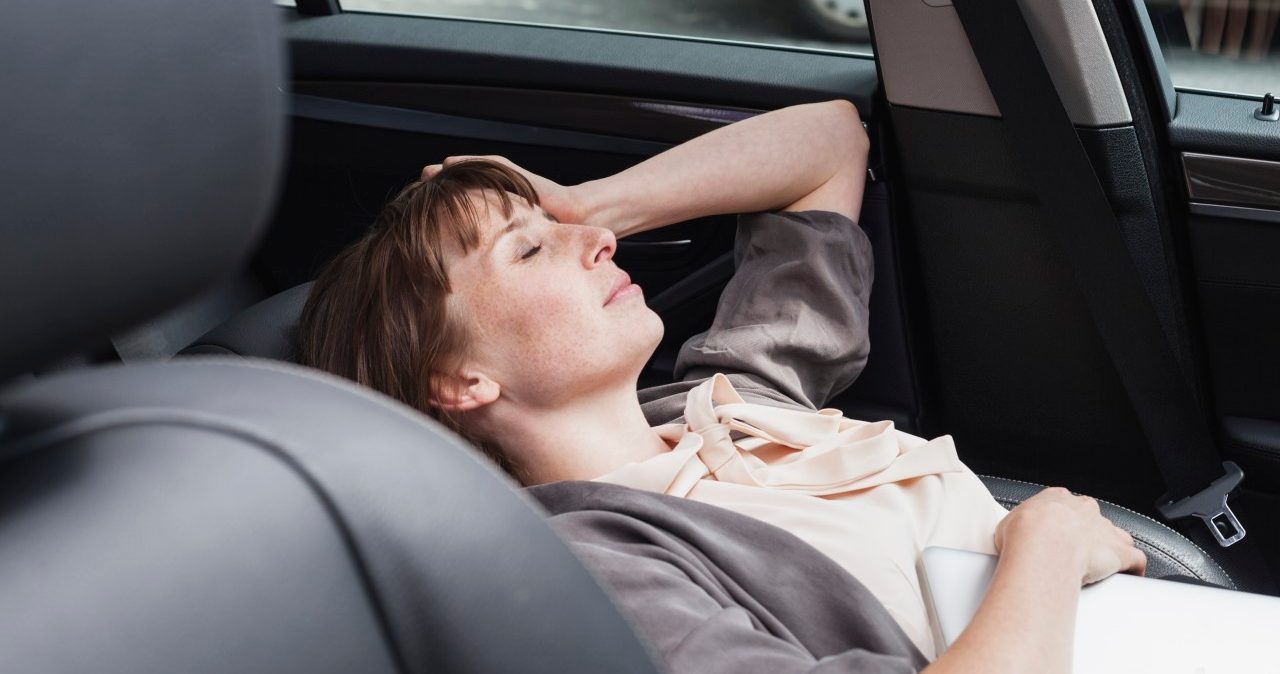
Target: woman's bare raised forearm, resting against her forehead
760, 164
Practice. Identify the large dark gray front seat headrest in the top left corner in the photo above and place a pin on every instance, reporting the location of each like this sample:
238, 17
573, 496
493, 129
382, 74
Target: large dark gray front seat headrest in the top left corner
143, 144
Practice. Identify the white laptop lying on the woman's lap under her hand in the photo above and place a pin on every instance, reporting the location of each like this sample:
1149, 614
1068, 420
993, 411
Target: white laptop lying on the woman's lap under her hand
1126, 623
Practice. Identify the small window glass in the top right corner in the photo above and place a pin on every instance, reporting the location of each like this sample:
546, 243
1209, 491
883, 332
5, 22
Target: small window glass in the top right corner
1220, 45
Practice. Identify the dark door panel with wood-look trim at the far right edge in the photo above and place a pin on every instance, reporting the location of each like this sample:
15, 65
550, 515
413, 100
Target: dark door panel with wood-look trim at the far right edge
1233, 223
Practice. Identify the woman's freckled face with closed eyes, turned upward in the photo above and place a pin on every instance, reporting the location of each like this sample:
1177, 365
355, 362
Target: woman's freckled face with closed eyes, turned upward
552, 318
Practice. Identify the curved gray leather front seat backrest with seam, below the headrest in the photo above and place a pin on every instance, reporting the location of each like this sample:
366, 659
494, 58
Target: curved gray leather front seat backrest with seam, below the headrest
220, 515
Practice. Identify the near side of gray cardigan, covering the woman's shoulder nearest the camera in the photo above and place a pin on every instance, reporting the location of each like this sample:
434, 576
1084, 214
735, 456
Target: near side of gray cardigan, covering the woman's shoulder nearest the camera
714, 592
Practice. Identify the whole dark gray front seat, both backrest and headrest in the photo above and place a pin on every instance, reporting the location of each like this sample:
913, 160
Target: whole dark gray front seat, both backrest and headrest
222, 515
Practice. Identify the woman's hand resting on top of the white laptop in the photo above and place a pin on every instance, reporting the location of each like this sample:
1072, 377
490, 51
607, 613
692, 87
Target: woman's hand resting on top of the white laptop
1071, 525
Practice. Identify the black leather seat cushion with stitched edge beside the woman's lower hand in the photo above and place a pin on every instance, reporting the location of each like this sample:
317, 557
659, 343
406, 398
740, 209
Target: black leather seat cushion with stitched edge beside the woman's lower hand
1168, 552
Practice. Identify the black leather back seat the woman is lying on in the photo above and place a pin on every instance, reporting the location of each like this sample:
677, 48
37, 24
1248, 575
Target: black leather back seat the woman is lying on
268, 331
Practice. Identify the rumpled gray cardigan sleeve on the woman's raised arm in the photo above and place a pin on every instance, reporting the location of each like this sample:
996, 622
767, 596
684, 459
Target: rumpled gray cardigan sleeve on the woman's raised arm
794, 315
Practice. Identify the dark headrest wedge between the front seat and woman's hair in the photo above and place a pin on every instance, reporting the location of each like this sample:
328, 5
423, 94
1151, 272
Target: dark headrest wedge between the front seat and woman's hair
266, 331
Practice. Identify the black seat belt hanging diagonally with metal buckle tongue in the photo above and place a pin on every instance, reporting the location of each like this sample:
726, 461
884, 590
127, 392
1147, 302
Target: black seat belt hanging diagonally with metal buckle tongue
1086, 227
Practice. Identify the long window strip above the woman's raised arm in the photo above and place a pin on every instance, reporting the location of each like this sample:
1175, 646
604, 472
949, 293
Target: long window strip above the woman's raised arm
833, 25
